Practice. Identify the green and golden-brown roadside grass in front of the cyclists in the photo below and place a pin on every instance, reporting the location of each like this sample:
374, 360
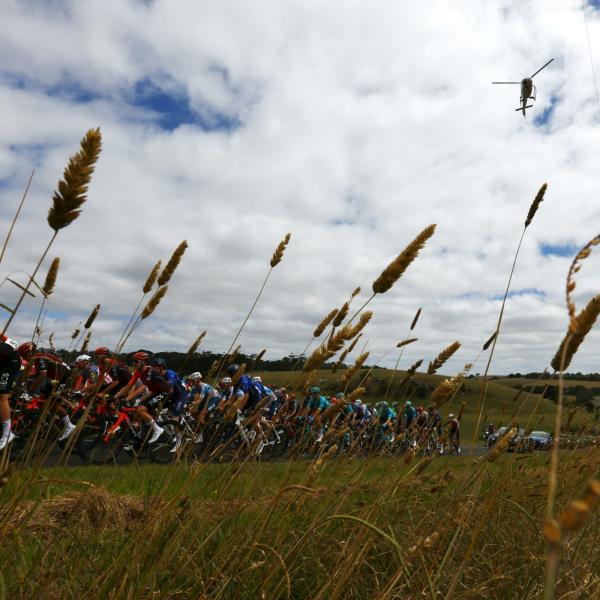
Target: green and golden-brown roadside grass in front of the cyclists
335, 528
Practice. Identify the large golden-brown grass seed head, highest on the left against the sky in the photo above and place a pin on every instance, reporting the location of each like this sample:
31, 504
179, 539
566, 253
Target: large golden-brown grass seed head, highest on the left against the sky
72, 189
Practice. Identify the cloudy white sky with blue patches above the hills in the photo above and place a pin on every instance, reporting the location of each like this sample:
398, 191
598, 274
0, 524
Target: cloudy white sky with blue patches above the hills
352, 126
